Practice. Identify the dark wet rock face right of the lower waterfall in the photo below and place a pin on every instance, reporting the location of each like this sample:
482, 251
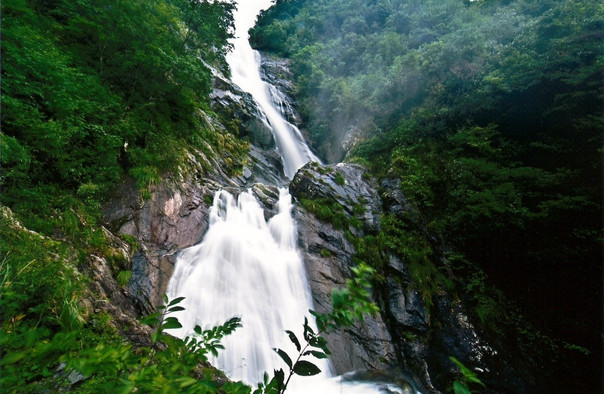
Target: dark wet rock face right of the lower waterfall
406, 336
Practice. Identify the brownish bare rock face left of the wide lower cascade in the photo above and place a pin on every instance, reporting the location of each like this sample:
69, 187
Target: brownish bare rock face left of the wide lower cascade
175, 217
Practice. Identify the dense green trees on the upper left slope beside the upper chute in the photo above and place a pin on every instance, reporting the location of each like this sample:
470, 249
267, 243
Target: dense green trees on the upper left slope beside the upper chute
92, 91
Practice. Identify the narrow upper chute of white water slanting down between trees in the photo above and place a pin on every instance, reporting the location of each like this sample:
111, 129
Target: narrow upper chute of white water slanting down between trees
244, 63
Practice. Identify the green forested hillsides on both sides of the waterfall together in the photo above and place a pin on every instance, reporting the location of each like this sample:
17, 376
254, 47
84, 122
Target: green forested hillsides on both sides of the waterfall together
488, 112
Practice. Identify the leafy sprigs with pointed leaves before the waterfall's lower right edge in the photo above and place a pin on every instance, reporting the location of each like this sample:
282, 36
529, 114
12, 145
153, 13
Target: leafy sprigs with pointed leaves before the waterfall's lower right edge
348, 305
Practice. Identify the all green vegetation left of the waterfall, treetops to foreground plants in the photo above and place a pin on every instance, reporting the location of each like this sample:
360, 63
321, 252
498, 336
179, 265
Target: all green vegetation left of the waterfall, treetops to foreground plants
93, 91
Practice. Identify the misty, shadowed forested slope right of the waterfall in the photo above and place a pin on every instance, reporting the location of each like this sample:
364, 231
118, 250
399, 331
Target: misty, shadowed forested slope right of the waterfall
490, 114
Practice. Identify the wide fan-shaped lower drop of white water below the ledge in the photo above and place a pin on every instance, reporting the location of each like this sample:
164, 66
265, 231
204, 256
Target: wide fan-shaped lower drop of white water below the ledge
247, 268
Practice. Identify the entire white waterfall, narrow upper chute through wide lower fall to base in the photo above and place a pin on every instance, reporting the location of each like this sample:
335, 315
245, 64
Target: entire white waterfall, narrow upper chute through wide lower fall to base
248, 267
